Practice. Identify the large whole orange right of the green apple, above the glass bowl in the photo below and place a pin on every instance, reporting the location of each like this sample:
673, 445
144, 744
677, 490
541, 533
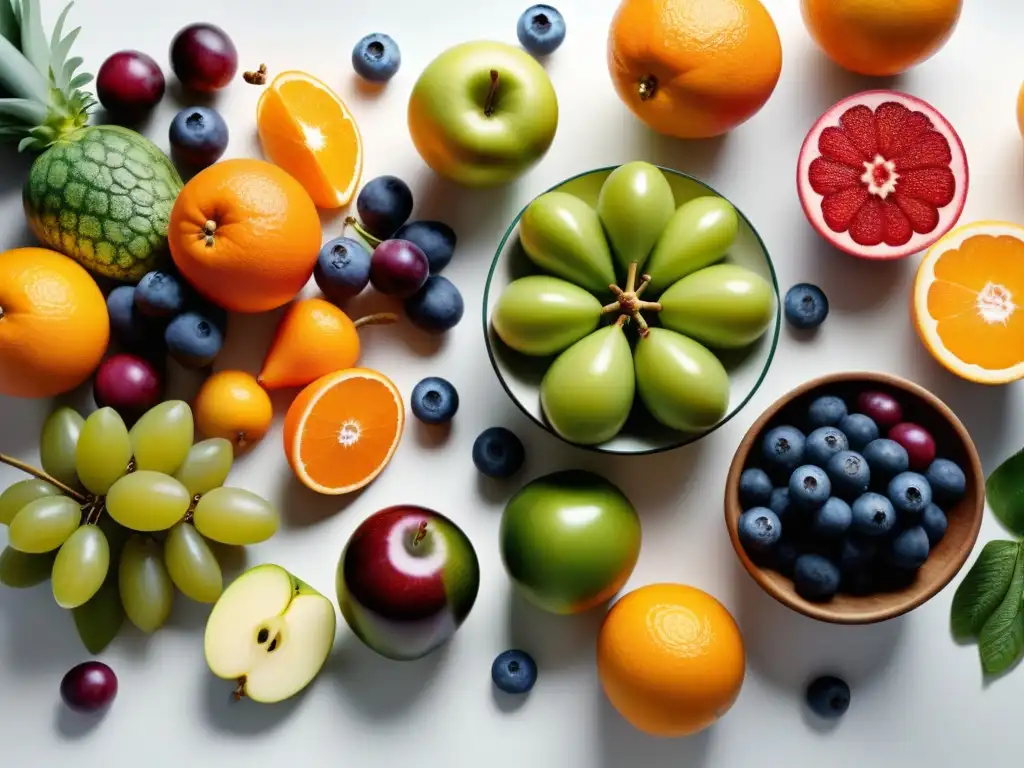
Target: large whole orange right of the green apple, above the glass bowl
694, 69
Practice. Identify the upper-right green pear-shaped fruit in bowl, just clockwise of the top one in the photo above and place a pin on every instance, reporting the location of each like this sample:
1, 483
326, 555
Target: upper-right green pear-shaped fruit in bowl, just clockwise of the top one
699, 235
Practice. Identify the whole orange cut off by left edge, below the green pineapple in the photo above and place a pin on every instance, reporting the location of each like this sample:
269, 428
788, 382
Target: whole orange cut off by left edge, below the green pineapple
54, 324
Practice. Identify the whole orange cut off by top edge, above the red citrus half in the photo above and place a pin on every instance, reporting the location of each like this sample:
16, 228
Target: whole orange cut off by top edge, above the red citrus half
881, 37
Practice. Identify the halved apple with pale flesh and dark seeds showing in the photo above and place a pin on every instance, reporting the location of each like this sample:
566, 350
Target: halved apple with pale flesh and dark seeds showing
271, 633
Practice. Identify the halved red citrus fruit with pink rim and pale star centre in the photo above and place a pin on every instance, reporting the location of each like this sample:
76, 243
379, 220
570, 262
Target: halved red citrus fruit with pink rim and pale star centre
882, 176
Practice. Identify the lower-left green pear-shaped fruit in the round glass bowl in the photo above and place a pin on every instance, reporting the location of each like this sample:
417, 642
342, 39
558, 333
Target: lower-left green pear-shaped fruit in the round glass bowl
588, 392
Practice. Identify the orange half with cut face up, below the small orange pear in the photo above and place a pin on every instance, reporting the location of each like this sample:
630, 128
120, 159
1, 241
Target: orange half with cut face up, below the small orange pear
344, 430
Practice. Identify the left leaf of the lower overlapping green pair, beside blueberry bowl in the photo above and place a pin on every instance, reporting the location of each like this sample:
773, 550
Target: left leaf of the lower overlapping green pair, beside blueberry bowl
984, 589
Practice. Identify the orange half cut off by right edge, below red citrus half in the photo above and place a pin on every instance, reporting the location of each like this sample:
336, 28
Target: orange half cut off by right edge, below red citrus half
969, 302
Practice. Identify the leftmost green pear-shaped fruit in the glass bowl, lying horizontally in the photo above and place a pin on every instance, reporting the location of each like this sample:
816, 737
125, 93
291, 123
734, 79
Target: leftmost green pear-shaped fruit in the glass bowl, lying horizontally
542, 316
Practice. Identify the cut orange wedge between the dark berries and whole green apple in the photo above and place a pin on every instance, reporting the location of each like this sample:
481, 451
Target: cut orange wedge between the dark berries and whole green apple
307, 130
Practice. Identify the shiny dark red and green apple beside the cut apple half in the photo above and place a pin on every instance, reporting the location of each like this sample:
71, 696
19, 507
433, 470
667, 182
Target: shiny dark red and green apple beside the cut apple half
407, 581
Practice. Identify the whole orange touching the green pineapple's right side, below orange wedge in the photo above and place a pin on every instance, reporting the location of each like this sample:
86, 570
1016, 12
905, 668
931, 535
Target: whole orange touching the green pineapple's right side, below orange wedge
246, 235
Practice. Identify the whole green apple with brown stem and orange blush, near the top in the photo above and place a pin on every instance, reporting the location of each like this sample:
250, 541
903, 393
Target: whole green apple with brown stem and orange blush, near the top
483, 113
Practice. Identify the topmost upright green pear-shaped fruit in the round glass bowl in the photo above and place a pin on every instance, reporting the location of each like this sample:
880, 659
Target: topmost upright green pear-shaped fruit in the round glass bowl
635, 205
